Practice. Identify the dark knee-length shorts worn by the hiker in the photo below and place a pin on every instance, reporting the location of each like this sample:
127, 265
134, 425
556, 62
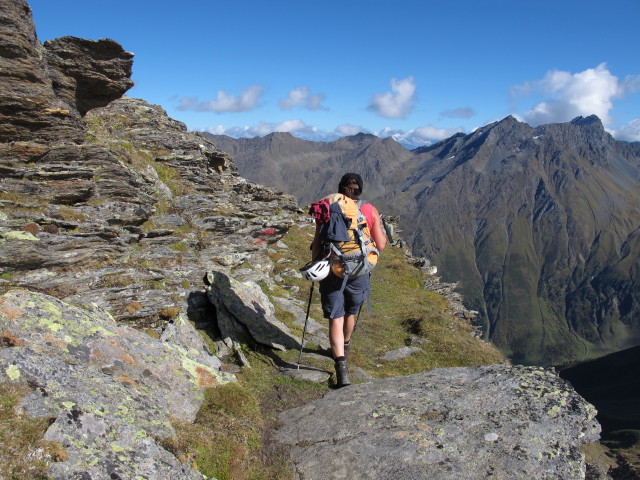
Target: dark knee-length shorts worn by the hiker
347, 302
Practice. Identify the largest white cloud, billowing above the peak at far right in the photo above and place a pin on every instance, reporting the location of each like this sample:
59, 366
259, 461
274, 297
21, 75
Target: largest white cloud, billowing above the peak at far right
569, 95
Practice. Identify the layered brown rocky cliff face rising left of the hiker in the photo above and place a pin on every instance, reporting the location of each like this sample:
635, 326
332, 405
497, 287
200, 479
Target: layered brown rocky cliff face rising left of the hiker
114, 203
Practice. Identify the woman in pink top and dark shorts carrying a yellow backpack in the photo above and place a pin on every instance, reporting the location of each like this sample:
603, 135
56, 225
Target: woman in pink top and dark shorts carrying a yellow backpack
346, 286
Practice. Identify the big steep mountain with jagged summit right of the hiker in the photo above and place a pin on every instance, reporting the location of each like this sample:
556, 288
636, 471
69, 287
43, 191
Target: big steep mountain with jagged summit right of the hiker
541, 225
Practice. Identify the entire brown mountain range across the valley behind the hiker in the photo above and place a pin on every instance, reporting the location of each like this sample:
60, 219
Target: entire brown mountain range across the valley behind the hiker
540, 226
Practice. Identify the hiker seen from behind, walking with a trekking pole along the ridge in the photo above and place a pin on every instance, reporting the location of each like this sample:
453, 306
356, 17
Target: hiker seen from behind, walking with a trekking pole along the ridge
342, 298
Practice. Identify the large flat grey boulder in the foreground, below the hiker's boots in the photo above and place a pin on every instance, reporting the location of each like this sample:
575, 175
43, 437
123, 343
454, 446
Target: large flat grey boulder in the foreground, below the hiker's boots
473, 423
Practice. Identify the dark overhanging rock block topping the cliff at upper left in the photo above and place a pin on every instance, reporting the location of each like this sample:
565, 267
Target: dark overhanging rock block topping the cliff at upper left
46, 89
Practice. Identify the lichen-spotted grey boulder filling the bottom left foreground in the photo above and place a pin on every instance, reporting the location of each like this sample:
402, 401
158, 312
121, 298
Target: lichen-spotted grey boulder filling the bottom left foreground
110, 390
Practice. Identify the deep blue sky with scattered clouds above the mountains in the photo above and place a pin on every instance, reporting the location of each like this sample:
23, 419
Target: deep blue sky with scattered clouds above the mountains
416, 70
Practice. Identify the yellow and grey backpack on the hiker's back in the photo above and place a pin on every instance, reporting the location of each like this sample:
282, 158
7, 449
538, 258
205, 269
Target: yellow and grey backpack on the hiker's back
345, 236
